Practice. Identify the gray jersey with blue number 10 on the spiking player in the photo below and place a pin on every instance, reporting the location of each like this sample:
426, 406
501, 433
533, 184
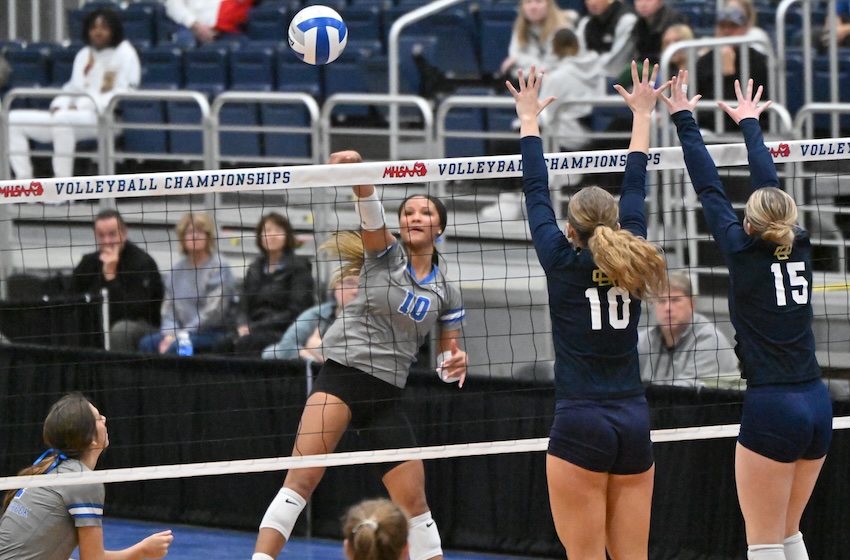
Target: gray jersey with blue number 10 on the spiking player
381, 331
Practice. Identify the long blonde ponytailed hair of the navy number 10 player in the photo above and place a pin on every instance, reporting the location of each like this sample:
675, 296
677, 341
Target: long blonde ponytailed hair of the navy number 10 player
629, 261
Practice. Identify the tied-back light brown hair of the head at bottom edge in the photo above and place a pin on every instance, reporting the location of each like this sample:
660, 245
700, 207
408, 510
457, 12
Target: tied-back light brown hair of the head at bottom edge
375, 530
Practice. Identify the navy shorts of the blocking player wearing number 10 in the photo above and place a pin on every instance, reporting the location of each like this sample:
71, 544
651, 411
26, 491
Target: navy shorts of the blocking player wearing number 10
609, 436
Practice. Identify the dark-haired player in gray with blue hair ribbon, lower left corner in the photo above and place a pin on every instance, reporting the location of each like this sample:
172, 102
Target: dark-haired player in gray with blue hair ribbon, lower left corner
48, 523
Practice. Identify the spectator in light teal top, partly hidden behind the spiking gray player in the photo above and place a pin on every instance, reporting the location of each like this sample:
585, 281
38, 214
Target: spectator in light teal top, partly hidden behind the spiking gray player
303, 338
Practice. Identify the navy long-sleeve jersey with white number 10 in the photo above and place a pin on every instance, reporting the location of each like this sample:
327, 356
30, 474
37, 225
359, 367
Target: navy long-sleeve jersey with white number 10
594, 324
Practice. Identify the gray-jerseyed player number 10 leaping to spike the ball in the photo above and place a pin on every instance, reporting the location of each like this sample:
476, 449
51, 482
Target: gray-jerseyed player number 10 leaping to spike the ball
369, 349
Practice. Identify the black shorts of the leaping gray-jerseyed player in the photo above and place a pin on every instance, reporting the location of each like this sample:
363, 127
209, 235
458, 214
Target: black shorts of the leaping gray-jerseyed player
376, 408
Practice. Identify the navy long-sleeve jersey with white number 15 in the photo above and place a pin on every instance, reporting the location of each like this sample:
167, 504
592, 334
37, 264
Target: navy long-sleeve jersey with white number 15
770, 285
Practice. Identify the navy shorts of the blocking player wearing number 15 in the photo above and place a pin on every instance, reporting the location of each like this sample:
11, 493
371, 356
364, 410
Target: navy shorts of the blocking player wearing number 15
787, 422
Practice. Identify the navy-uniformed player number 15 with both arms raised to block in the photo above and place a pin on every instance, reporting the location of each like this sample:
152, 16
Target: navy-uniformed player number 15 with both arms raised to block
786, 427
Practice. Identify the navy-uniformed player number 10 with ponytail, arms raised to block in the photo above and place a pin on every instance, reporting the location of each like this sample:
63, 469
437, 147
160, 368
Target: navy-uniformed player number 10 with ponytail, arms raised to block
599, 463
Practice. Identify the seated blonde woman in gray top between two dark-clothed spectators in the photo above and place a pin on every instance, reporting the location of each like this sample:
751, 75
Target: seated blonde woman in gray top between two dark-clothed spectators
198, 291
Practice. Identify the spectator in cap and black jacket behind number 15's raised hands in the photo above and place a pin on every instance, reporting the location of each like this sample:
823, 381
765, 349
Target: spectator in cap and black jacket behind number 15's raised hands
732, 21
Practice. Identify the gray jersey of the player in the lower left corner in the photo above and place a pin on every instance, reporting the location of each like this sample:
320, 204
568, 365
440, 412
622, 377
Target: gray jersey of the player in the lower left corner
41, 523
